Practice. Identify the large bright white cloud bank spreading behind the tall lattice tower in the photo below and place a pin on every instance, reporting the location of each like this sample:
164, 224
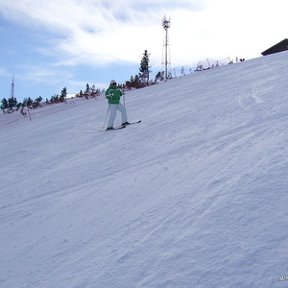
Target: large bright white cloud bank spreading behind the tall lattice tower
101, 32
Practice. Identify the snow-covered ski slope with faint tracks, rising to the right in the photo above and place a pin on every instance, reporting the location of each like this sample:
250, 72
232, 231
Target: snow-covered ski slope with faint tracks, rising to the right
194, 196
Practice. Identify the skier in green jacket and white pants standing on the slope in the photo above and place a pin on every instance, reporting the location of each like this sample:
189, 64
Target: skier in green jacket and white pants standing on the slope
113, 95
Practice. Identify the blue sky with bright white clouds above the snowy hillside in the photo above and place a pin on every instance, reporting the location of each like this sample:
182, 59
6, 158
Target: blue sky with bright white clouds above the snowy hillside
49, 45
